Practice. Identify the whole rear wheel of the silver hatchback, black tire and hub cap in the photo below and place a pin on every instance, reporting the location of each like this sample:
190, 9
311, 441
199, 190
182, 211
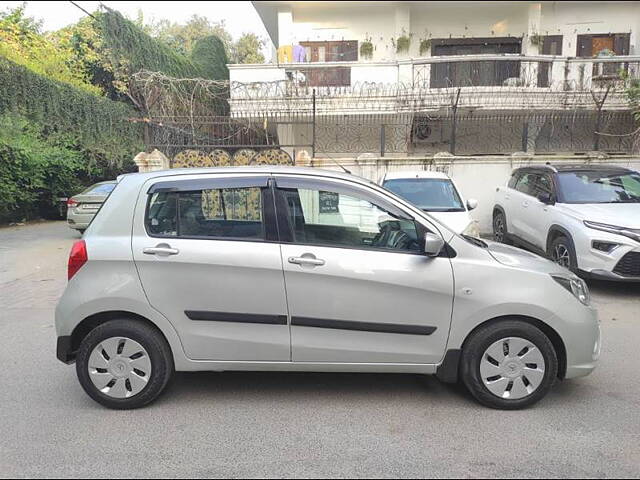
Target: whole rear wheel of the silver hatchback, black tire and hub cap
152, 358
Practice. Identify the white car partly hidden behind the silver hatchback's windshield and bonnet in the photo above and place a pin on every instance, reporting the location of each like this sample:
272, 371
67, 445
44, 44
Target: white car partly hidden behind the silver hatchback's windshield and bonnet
436, 193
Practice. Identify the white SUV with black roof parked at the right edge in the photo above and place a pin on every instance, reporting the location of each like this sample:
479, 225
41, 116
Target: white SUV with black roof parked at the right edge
584, 217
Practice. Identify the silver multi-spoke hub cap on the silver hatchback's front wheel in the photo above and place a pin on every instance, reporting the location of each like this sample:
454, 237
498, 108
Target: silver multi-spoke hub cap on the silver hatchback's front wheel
512, 368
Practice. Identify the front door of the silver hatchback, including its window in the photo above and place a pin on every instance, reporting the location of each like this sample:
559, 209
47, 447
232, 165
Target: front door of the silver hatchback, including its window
359, 289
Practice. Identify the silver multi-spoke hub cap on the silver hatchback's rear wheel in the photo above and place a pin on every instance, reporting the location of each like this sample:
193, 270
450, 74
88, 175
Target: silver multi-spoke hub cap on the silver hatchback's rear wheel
119, 367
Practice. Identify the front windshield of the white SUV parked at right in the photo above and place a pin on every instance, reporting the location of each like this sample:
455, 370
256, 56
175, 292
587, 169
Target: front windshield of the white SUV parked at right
599, 187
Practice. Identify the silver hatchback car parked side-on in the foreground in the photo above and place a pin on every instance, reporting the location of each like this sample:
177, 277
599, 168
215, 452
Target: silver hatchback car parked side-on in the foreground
280, 268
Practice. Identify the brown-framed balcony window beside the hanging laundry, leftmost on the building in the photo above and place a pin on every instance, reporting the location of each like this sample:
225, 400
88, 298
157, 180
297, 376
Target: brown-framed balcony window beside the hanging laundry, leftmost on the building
341, 51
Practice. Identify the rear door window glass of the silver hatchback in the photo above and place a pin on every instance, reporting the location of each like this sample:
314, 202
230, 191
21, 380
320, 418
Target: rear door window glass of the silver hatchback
211, 213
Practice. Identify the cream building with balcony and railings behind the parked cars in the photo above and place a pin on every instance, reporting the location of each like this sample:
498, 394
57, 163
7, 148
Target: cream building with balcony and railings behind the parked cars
451, 85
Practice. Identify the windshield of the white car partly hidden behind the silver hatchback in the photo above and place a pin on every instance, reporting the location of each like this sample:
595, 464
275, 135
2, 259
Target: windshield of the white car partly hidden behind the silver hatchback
429, 194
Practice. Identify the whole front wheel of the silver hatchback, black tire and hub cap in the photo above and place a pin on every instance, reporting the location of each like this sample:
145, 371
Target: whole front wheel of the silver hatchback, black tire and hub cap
520, 384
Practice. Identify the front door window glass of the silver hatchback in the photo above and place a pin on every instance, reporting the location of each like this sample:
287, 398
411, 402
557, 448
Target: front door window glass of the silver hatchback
321, 217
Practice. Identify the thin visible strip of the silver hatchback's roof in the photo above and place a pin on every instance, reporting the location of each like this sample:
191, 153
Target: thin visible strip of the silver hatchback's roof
260, 169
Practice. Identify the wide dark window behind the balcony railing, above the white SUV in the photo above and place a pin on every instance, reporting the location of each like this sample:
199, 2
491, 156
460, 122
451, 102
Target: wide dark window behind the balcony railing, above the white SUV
474, 73
